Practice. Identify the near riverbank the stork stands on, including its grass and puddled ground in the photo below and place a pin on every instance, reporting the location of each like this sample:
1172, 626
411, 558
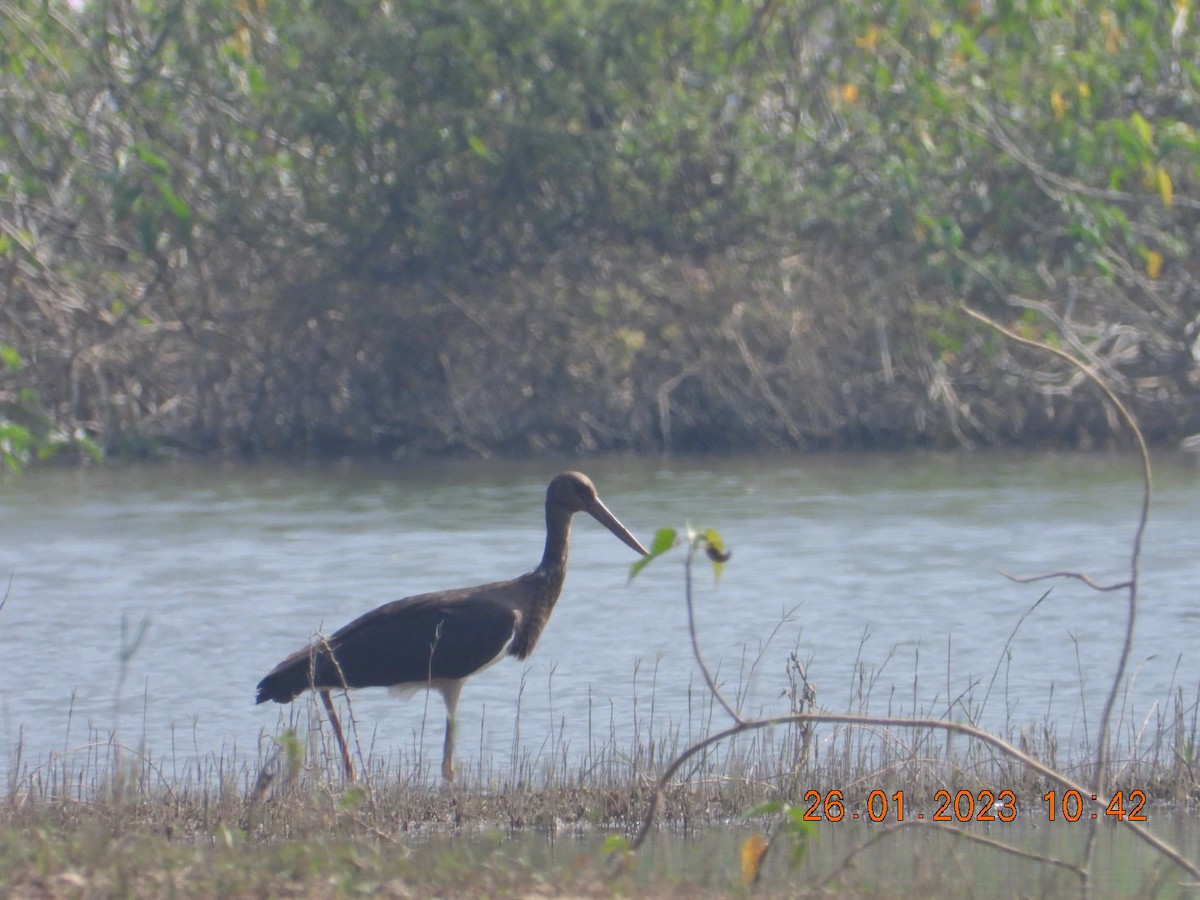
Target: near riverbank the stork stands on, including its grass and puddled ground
113, 823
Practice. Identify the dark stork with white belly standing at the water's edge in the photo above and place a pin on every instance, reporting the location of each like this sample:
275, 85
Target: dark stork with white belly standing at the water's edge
437, 641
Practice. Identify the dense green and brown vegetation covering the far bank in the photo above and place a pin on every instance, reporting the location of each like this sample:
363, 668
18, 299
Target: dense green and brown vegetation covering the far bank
261, 227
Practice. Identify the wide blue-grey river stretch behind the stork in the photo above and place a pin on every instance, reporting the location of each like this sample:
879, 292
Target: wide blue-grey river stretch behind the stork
878, 562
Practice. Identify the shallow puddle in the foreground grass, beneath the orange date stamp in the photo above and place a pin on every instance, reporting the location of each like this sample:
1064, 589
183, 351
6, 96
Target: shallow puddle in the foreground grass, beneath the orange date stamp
923, 861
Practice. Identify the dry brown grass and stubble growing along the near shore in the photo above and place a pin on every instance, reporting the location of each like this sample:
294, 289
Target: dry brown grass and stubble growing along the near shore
109, 821
